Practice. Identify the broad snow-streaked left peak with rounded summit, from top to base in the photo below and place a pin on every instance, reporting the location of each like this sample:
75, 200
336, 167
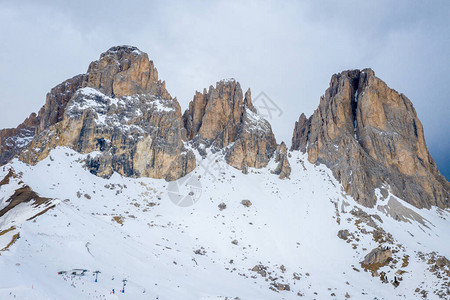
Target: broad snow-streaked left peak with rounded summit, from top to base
120, 110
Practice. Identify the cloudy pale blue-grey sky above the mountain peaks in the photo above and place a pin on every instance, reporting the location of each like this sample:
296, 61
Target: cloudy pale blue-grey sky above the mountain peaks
286, 49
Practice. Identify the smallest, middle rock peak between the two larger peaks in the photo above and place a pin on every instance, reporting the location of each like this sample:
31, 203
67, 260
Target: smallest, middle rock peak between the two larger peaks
223, 119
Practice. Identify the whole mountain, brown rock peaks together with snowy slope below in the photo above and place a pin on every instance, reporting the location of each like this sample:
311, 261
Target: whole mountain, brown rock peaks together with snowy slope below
111, 180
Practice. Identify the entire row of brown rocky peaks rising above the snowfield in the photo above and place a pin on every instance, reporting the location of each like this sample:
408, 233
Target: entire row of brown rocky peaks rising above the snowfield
121, 113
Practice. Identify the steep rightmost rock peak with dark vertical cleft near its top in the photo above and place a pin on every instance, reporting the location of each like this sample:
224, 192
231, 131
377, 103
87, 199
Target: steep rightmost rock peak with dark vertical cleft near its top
370, 137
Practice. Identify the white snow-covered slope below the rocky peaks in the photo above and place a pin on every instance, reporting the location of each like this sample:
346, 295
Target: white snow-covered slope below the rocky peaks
172, 241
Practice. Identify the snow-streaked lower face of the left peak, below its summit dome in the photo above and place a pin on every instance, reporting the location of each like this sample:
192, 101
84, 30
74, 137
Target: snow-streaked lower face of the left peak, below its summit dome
139, 135
